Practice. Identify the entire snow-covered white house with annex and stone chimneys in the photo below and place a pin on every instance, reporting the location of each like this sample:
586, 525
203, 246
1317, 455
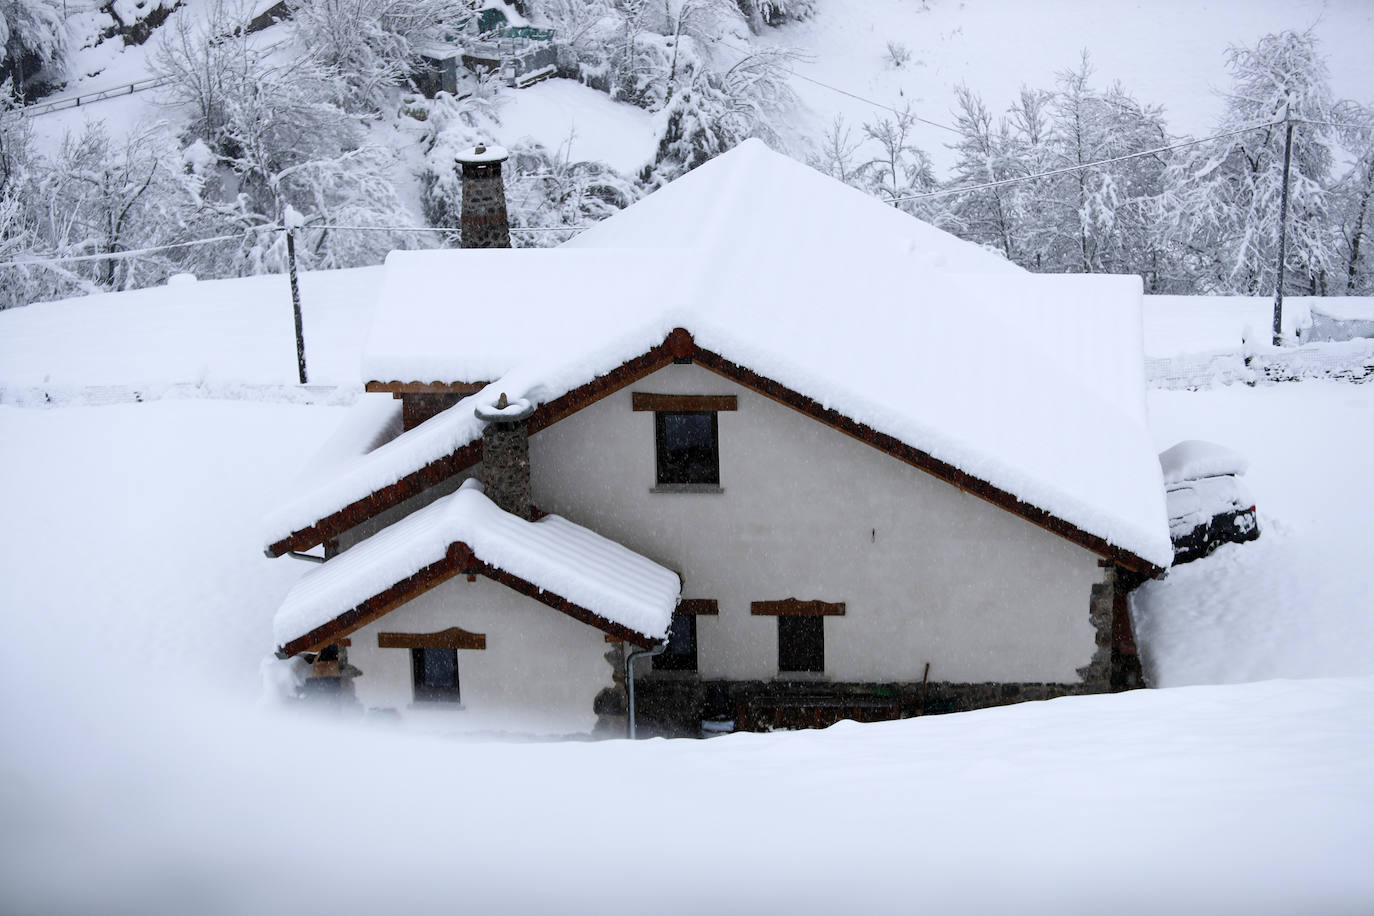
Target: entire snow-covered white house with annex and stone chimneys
822, 458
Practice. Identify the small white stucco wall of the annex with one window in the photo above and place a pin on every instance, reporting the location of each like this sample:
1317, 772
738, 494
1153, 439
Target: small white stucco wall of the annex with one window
539, 674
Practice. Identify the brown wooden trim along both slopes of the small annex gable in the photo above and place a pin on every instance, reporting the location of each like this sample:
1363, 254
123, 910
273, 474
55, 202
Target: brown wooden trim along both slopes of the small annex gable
458, 560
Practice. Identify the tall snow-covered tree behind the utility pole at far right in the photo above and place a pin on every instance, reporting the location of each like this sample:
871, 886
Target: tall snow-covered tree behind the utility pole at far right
1225, 198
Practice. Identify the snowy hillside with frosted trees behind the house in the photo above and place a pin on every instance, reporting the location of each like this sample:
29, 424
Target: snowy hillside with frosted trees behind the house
201, 127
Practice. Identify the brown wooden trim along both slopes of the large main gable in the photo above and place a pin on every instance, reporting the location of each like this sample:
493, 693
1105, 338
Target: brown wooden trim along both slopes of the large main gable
679, 345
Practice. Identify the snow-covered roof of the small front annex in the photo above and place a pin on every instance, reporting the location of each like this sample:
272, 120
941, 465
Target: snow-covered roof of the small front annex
553, 554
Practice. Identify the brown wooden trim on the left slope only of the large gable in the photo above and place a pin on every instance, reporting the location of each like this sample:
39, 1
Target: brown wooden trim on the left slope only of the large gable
466, 457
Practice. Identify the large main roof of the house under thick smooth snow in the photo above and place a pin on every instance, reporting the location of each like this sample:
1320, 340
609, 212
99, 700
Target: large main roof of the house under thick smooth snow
1033, 384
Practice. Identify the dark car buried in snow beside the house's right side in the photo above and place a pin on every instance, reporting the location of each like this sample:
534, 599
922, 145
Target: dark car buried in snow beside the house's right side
1208, 505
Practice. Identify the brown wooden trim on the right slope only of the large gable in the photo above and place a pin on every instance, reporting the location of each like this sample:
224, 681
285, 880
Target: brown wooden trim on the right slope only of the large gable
923, 461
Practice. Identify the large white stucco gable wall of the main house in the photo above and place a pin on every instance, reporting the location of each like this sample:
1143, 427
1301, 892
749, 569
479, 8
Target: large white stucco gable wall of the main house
928, 573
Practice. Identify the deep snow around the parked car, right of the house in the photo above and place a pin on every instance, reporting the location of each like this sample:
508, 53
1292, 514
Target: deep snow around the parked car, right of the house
1300, 601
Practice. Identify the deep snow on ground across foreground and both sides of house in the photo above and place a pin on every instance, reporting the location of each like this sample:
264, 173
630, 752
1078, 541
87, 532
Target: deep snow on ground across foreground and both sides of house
139, 775
